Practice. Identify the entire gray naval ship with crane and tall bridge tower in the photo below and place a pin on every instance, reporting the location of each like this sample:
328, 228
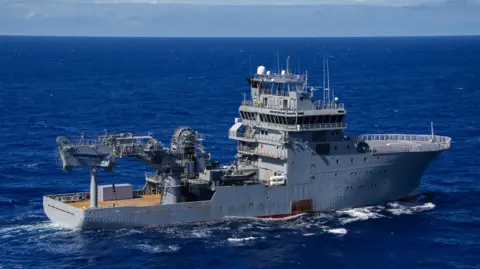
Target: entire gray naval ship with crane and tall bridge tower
292, 158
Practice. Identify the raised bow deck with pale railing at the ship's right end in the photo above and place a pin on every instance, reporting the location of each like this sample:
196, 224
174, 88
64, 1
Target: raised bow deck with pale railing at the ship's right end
385, 143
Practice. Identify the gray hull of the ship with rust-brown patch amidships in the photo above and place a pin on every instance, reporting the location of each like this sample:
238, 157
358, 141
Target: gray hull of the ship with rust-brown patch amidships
386, 177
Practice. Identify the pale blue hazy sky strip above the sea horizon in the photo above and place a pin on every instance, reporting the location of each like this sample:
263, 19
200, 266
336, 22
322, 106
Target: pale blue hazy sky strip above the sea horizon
240, 18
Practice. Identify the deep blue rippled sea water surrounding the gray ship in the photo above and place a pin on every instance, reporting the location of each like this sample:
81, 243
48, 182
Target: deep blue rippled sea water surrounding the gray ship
65, 86
